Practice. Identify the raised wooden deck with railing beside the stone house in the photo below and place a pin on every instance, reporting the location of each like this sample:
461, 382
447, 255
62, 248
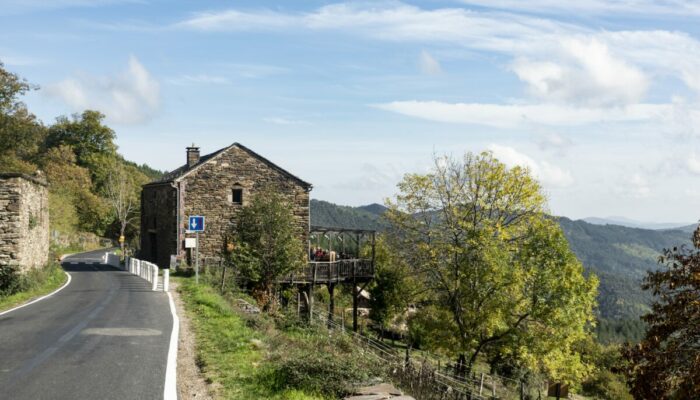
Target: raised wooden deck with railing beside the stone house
326, 272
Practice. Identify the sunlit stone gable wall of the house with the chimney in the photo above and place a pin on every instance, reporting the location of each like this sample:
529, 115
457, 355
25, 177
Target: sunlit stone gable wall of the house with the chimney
209, 193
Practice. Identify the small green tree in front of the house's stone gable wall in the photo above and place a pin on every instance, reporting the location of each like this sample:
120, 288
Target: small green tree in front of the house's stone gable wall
267, 244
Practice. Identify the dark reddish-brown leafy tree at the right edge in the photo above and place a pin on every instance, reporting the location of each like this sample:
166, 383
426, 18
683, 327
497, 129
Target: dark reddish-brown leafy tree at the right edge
666, 363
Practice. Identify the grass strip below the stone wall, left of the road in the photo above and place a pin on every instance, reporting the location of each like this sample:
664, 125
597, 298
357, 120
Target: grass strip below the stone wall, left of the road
38, 282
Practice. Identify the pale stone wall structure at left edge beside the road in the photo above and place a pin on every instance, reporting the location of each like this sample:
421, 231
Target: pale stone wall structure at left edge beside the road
24, 220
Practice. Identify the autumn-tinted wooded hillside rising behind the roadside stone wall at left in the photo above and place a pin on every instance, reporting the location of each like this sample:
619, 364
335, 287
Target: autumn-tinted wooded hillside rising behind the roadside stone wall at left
78, 157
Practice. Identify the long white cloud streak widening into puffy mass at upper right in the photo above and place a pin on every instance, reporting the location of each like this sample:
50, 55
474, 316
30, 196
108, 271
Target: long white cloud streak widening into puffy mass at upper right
549, 53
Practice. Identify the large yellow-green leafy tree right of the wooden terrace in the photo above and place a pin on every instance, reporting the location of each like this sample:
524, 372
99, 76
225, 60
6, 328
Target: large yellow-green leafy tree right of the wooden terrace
498, 275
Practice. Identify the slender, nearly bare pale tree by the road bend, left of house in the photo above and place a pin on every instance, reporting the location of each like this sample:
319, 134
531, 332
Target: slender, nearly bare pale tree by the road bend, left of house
122, 198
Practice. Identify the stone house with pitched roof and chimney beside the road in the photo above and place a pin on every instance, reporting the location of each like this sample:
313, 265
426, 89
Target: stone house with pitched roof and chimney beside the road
215, 186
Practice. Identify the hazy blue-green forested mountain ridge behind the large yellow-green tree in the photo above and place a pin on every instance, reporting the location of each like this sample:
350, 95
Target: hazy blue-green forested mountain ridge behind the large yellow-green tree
618, 254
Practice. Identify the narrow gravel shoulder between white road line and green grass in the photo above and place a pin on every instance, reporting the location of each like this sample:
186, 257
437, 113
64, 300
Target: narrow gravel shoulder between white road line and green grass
190, 382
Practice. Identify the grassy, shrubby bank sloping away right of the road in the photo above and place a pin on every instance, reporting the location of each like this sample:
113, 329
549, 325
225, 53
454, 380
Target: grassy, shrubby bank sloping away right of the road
271, 356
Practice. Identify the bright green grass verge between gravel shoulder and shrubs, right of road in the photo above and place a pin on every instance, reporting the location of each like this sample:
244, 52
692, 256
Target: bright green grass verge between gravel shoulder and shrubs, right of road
230, 353
